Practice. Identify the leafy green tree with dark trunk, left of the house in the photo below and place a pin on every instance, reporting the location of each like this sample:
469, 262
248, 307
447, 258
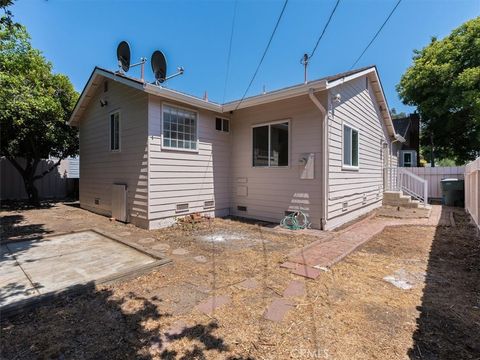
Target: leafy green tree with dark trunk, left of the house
34, 107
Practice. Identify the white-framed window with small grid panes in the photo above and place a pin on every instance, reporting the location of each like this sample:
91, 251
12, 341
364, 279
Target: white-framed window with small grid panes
179, 128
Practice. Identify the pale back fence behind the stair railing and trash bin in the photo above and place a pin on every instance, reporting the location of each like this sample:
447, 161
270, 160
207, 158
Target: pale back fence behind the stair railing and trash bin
435, 175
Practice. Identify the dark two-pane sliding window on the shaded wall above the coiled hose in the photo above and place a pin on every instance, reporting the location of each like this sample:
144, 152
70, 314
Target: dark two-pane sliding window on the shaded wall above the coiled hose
271, 144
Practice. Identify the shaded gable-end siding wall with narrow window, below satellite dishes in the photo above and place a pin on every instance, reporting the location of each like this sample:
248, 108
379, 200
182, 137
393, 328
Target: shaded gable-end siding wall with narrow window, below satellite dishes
99, 167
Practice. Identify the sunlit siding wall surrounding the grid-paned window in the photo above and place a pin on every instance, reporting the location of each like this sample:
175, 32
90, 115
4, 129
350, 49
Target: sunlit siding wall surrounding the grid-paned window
177, 177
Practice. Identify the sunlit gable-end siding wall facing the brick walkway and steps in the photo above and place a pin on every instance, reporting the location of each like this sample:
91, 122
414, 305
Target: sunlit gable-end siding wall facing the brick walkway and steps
358, 109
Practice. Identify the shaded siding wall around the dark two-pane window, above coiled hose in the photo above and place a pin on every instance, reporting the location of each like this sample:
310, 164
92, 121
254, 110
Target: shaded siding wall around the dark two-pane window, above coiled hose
269, 192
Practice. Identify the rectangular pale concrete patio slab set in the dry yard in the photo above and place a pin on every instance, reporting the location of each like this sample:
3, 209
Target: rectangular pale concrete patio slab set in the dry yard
37, 267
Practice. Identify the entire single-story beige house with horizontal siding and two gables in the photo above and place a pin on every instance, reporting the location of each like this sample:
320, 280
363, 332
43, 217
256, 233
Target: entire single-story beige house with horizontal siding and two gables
150, 154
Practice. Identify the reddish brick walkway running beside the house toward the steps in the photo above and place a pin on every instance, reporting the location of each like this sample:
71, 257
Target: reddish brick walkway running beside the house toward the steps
324, 253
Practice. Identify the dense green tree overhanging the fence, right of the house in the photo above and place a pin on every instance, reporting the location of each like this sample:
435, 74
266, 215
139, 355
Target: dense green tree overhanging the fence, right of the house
444, 84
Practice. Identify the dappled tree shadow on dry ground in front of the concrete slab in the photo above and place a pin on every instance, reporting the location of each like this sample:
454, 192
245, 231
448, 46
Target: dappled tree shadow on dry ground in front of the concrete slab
97, 325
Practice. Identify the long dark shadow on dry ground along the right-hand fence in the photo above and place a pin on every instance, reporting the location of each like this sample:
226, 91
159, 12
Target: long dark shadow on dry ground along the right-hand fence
449, 323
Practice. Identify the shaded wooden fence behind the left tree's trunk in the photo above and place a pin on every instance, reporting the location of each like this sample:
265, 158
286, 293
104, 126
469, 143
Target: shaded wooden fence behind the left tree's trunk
56, 185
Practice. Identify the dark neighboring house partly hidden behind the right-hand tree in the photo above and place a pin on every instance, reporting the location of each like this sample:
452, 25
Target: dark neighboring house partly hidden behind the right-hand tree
409, 129
